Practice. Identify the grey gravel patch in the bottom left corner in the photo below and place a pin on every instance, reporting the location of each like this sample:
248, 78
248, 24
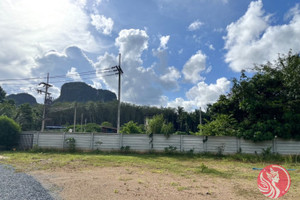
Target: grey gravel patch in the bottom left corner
20, 186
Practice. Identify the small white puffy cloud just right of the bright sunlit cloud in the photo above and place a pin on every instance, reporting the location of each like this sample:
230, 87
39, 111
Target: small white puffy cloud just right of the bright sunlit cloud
102, 24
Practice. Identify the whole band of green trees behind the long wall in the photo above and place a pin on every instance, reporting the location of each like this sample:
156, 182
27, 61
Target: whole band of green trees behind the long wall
259, 106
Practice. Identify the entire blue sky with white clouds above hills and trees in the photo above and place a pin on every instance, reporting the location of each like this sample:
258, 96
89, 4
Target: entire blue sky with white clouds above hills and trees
174, 52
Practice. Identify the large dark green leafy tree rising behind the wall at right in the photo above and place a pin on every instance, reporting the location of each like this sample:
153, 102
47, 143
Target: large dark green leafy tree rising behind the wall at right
267, 104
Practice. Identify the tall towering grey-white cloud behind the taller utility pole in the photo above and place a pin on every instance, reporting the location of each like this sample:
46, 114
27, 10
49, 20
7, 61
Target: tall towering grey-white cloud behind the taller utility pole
139, 84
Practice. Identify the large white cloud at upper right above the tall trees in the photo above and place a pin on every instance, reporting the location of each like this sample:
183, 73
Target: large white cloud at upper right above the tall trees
252, 40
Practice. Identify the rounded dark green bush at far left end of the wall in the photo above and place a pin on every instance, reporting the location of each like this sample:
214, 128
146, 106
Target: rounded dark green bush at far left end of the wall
9, 132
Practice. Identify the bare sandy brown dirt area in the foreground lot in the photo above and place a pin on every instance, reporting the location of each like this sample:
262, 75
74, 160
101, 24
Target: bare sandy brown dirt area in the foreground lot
136, 184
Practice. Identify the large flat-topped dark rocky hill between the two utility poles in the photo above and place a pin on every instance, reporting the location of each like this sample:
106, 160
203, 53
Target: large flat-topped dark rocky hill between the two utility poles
82, 92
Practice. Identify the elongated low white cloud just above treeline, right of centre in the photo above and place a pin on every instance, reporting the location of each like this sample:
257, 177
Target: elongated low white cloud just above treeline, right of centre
202, 94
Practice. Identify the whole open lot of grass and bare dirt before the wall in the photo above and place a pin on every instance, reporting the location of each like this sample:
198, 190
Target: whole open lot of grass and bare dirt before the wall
102, 175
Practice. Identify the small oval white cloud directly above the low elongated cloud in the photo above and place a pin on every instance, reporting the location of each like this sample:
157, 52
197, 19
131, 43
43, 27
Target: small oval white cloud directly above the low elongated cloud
194, 66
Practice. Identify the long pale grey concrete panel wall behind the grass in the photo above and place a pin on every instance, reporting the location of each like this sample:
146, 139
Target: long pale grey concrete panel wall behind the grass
142, 142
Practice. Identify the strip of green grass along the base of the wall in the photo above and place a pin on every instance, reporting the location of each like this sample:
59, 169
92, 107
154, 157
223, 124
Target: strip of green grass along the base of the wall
237, 166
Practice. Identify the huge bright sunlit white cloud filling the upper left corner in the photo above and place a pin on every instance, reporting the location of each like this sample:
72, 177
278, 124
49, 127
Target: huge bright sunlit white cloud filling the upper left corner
30, 28
